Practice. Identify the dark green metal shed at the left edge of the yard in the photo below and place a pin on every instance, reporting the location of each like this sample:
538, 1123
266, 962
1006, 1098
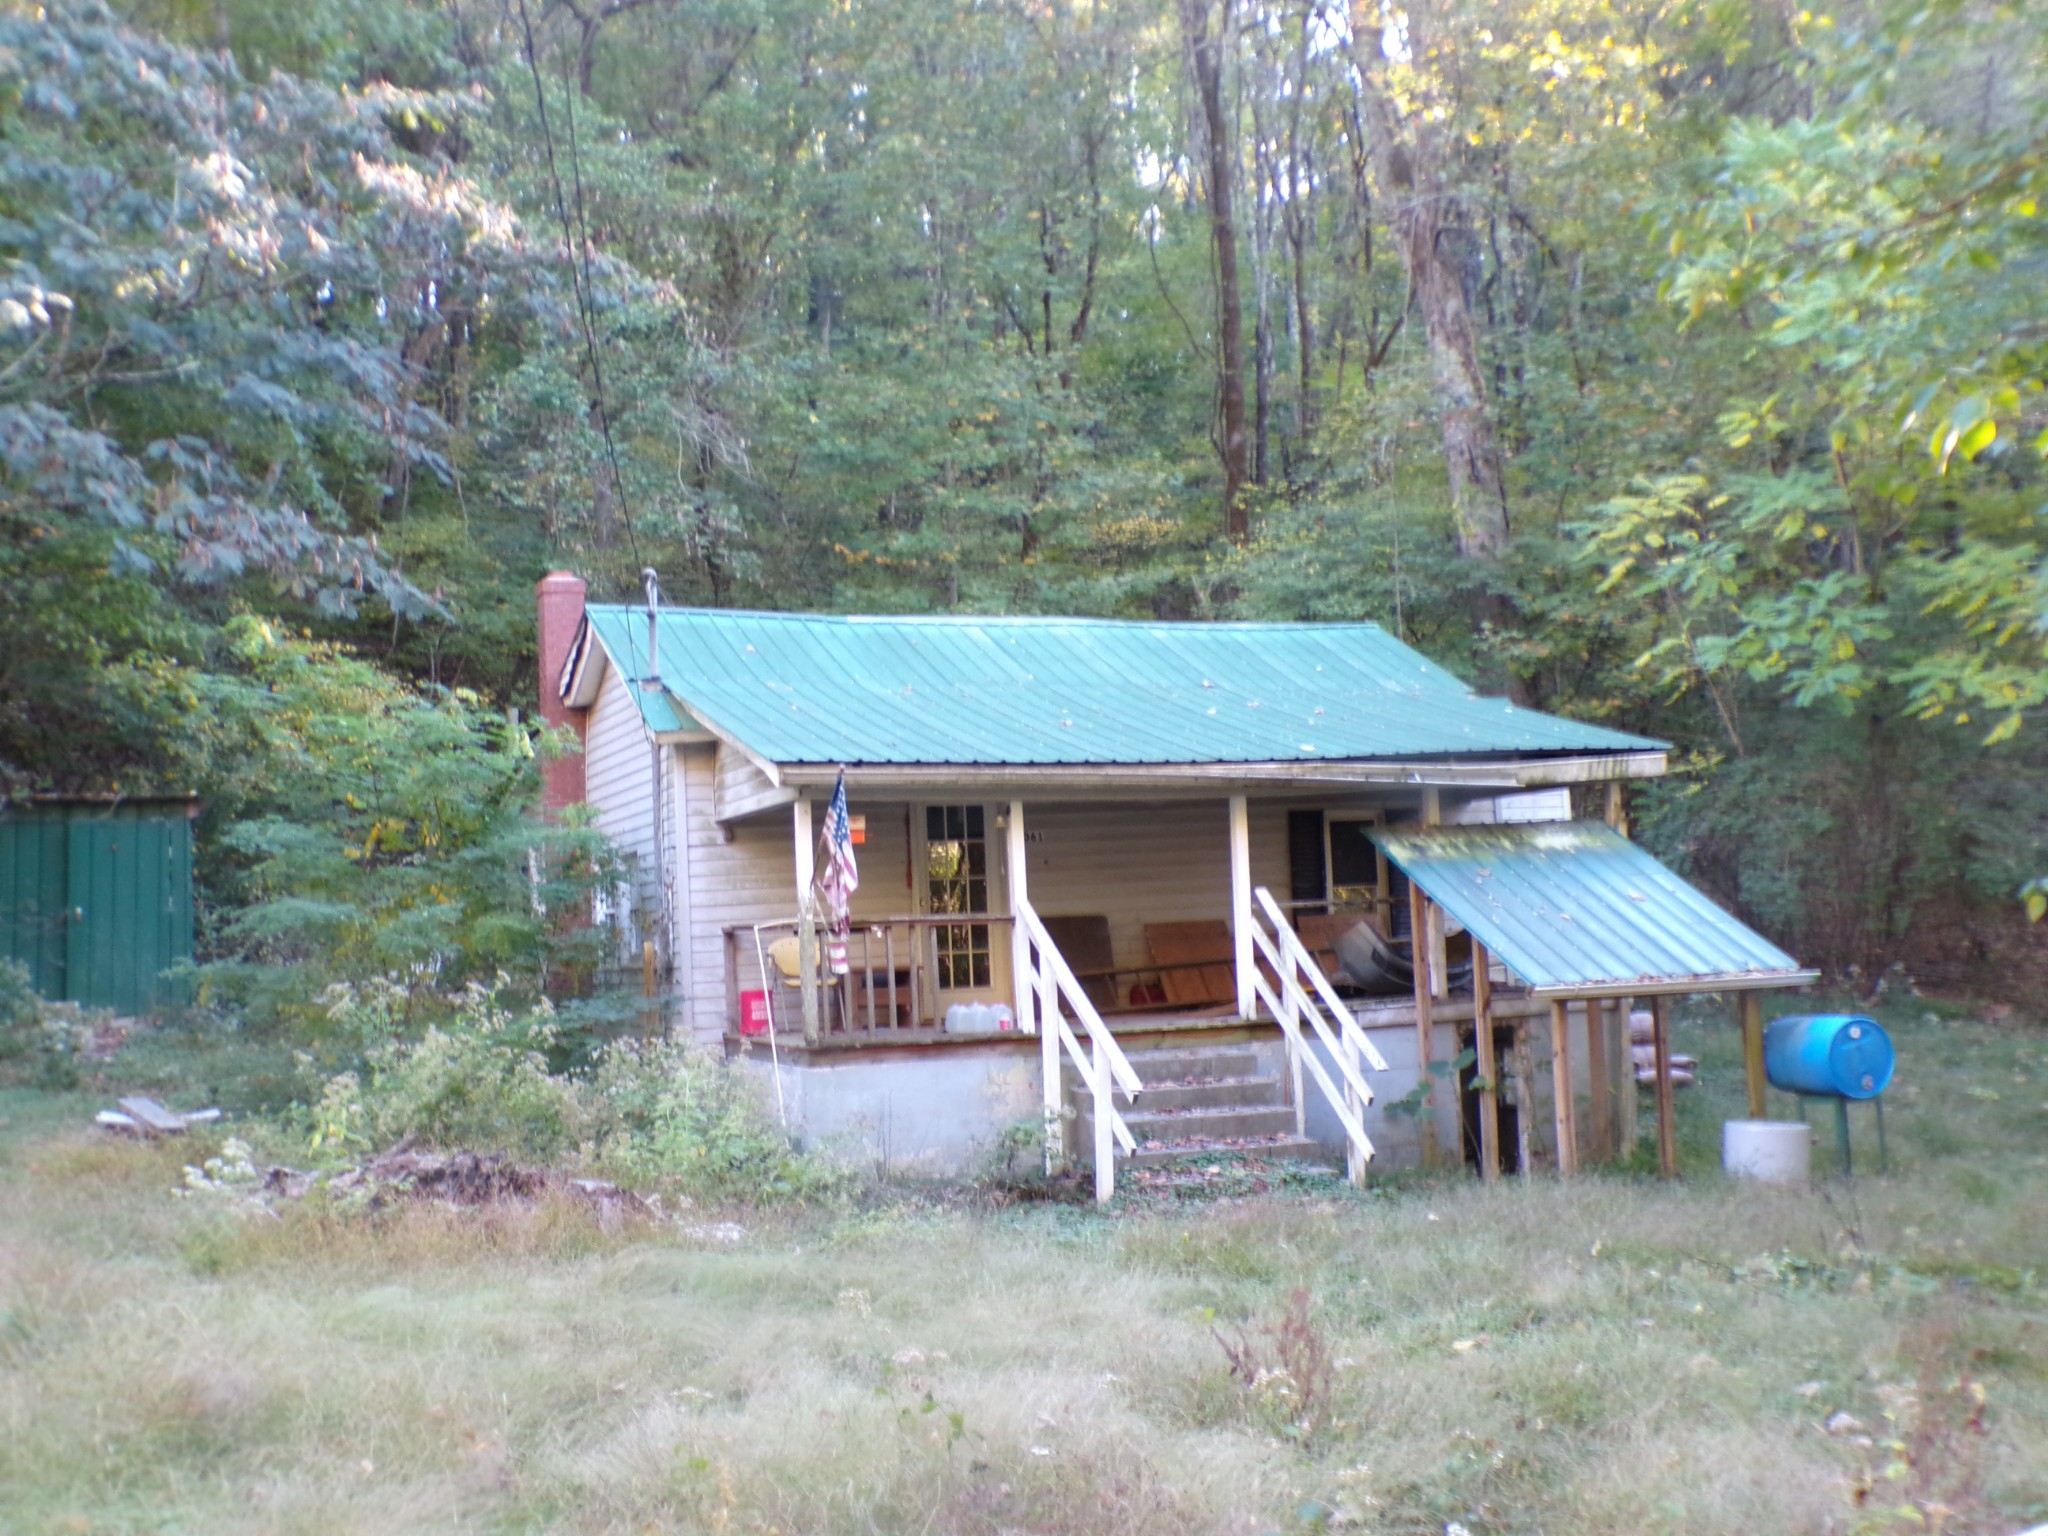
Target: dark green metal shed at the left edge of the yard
97, 898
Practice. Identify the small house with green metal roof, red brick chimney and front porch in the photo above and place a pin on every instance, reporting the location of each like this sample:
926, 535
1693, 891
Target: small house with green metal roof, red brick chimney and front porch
1142, 884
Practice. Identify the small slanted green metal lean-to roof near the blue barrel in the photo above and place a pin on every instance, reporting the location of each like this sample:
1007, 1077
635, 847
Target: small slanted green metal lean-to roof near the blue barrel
1574, 908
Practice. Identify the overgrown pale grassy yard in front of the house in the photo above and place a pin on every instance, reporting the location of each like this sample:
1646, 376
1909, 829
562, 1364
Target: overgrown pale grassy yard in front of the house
1431, 1357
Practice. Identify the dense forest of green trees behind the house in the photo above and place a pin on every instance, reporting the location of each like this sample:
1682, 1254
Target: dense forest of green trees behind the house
1670, 364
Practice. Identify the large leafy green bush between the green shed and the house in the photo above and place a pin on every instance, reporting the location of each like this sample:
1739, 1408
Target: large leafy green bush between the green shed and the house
386, 830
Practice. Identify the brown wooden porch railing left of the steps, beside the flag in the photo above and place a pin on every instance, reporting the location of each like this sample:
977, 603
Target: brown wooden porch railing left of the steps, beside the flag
900, 972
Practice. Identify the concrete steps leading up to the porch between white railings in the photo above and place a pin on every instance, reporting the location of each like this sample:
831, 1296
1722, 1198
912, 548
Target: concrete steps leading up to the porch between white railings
1199, 1101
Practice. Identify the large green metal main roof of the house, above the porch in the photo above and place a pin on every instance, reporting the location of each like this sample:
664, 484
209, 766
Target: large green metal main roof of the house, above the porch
802, 689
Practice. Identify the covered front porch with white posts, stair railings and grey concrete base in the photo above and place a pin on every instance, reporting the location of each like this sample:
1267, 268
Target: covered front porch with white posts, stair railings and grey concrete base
998, 1009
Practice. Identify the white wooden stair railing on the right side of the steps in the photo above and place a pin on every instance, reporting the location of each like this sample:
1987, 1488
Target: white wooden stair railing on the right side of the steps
1299, 996
